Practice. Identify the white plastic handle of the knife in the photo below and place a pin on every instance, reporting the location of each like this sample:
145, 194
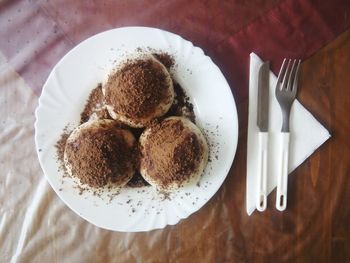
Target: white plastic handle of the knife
261, 201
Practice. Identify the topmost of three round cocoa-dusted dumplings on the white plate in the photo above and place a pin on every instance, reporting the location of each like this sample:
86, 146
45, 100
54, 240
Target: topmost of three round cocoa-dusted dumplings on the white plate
139, 91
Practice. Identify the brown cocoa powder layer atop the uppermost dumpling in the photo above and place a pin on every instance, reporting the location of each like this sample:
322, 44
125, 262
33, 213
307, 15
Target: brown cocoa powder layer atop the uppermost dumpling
137, 88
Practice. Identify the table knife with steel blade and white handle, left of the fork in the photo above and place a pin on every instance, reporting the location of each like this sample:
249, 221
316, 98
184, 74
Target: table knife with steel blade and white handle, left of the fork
263, 124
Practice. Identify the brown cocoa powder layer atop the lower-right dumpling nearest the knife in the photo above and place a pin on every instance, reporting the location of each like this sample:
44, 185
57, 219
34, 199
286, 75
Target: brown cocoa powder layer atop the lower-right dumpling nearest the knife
171, 153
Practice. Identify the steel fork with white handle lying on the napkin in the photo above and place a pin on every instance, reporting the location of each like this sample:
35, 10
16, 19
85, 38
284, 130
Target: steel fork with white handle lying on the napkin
286, 90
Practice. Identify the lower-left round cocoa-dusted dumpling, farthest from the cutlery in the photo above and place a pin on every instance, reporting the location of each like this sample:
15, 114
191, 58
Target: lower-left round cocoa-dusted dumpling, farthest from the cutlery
99, 153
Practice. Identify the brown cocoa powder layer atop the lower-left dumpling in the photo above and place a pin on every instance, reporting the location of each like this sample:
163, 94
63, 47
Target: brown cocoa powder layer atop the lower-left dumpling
99, 157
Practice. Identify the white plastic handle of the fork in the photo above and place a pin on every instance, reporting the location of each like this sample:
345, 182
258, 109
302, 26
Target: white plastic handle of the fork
282, 176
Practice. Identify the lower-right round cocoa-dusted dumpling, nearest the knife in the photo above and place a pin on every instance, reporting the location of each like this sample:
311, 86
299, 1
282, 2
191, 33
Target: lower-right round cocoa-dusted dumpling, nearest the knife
174, 153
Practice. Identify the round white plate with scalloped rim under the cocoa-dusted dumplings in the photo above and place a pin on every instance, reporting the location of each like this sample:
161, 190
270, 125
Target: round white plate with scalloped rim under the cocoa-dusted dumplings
64, 96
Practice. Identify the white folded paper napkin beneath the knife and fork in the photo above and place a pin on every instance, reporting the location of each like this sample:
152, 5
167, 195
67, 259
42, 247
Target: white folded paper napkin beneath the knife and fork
306, 135
